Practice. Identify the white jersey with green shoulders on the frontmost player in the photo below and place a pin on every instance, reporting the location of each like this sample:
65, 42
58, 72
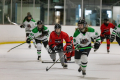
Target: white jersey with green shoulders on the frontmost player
85, 39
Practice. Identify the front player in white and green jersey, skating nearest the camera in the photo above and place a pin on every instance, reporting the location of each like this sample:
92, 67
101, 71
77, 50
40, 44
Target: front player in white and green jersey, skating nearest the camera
82, 39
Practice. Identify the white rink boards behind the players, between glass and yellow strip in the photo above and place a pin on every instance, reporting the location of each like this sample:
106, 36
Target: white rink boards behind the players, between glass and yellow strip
11, 33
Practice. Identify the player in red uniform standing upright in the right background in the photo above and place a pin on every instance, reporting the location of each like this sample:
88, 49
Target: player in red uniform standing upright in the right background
105, 32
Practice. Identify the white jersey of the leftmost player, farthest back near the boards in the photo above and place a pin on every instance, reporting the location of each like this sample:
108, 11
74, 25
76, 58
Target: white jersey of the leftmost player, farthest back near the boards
29, 25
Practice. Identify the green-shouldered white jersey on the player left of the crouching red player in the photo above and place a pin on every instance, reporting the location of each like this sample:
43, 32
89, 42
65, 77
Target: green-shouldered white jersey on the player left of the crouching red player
36, 34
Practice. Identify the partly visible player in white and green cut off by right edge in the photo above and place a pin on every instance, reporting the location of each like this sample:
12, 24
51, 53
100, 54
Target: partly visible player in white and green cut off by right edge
116, 33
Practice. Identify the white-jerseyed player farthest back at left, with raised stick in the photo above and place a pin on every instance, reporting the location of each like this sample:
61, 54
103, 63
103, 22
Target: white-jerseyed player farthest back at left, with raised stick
29, 24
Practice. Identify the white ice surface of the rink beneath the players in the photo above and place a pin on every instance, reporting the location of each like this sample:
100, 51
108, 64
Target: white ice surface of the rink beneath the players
21, 64
